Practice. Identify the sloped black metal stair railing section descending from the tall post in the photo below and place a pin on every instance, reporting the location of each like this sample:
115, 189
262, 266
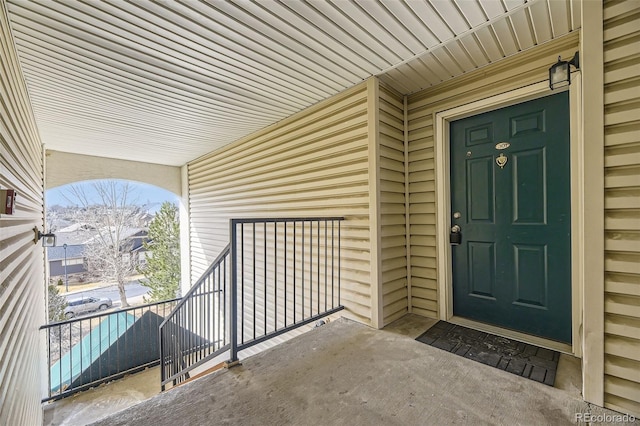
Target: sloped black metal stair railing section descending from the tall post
196, 330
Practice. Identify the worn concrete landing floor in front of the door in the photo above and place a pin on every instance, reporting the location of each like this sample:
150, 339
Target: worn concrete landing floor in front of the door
347, 373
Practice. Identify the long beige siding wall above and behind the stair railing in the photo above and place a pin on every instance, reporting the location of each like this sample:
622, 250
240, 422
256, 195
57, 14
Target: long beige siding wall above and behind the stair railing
314, 163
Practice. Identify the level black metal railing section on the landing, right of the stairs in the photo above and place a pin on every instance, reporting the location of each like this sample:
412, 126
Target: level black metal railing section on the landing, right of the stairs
286, 274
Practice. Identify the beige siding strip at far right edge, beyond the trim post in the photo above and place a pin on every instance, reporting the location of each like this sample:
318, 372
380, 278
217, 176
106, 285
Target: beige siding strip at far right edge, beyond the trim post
622, 205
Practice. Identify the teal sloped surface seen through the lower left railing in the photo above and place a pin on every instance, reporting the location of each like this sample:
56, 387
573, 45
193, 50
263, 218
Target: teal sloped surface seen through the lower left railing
89, 349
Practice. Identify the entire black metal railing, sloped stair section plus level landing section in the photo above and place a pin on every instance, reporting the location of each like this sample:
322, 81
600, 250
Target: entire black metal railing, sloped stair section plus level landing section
274, 276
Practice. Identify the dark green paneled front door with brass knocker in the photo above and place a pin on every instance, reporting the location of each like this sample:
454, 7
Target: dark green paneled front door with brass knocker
510, 192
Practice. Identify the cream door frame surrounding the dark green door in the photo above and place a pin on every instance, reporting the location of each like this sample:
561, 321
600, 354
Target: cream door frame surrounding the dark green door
443, 207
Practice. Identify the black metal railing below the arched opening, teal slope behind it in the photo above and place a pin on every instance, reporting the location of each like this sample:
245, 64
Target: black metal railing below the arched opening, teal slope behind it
84, 352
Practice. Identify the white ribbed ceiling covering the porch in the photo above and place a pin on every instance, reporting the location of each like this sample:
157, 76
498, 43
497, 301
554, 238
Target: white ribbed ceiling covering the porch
168, 81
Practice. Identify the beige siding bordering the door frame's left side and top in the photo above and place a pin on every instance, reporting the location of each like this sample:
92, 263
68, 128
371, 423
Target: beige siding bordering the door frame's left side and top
512, 73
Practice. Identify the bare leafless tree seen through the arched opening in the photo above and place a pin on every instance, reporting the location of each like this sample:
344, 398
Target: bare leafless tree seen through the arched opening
109, 212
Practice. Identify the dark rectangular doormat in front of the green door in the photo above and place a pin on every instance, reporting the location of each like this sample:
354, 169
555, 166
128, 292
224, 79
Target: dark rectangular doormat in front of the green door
519, 358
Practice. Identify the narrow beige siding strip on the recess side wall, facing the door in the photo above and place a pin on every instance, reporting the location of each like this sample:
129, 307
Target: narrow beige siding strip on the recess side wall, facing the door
392, 205
